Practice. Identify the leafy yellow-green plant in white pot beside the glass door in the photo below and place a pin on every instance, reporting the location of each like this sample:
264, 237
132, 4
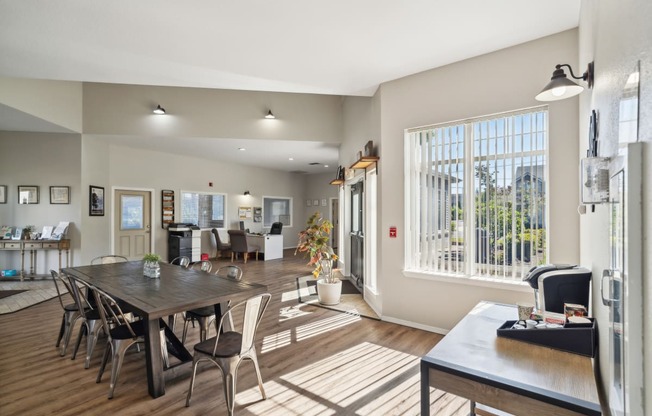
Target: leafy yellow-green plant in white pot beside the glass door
313, 241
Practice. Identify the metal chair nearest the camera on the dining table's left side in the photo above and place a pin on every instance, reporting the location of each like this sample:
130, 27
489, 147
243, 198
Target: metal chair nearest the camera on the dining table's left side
121, 334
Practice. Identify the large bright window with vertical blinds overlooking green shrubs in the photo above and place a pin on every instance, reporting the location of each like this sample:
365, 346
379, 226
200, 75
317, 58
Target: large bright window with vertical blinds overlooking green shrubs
476, 199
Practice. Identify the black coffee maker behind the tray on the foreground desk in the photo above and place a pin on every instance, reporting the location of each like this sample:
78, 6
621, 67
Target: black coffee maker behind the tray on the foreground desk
556, 284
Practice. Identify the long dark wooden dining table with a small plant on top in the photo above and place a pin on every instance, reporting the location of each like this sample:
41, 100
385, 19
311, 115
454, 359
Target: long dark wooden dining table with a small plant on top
177, 290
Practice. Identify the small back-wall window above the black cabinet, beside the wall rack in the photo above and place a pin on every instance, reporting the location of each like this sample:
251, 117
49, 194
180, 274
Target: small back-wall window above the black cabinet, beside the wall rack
207, 210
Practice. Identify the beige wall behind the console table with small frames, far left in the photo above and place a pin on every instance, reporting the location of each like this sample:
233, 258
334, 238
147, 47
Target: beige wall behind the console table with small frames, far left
43, 160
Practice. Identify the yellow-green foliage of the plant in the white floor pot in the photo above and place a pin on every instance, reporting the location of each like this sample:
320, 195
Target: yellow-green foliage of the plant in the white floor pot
313, 241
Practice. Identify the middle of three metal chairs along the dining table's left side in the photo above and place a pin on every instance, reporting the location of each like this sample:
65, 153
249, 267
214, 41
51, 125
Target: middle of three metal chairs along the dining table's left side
91, 320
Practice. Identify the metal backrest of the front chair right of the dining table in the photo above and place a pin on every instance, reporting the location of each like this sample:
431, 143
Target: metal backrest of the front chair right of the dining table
245, 323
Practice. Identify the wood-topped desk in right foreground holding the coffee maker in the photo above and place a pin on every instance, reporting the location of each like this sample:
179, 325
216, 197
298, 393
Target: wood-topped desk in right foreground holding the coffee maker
520, 378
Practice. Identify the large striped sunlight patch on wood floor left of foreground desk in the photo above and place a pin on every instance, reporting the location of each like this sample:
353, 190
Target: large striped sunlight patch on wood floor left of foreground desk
367, 379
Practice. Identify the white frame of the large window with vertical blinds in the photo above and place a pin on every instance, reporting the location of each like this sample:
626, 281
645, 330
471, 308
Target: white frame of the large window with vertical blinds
468, 275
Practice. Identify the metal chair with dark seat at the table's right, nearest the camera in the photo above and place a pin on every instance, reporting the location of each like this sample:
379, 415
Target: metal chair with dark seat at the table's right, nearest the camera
228, 349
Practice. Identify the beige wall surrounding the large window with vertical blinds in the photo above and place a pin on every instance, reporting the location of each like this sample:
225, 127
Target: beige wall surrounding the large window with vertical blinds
501, 81
